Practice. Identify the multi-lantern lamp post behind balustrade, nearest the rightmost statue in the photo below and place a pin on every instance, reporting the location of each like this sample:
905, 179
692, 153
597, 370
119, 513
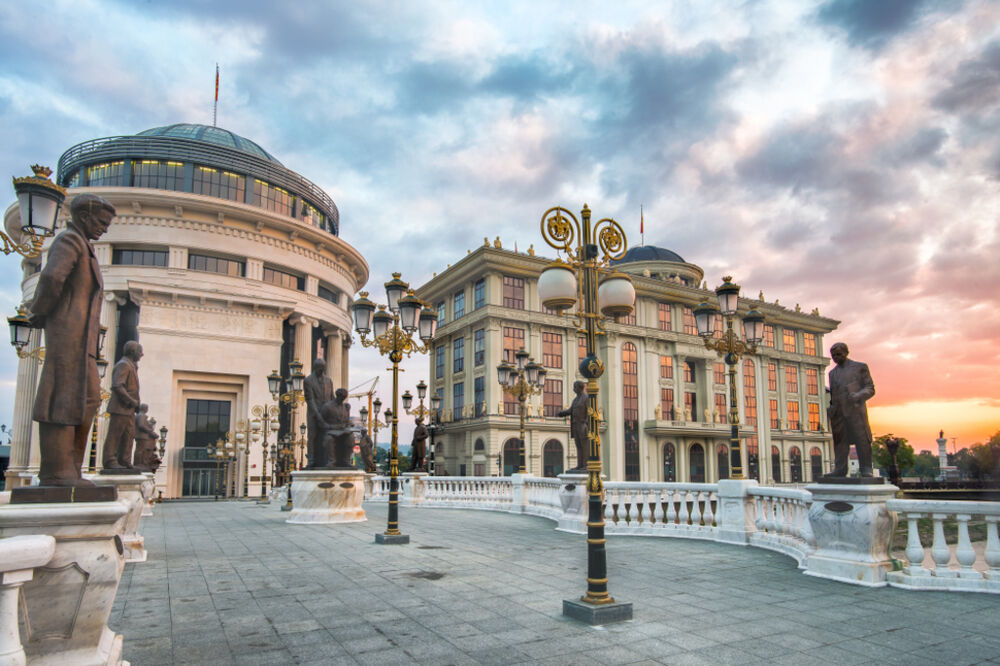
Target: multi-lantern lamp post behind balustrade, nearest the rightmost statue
732, 347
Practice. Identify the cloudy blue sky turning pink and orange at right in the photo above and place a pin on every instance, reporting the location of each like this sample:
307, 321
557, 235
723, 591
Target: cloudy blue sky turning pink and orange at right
839, 154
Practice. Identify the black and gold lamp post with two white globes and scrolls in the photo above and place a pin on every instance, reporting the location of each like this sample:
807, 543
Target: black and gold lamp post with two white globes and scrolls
589, 249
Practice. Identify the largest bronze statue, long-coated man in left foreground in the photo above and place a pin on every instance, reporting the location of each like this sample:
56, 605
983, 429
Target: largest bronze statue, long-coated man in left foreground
67, 305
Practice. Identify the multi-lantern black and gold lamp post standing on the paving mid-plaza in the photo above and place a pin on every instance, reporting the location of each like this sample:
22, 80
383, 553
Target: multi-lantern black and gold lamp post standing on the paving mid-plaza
392, 333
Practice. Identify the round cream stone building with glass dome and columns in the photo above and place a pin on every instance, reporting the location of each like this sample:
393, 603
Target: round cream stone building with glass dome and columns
225, 265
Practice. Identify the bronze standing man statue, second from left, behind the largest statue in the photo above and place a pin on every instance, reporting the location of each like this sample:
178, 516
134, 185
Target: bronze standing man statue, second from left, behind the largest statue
122, 407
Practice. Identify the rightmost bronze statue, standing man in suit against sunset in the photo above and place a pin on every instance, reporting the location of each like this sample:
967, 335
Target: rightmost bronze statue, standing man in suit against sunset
850, 387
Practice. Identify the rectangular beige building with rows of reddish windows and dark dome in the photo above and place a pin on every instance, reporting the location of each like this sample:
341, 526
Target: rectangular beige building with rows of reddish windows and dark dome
664, 396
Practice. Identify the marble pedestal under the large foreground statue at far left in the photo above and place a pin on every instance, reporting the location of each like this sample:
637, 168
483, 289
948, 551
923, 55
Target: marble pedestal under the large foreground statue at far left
68, 600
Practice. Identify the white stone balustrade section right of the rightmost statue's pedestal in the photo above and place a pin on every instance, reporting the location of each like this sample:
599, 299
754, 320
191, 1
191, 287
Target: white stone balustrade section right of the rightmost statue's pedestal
940, 566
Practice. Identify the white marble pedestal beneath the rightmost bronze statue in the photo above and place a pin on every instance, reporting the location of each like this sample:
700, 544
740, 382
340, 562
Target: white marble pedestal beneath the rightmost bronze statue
853, 529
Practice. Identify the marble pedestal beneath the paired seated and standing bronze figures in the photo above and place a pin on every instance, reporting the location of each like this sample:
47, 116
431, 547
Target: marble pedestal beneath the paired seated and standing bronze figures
327, 496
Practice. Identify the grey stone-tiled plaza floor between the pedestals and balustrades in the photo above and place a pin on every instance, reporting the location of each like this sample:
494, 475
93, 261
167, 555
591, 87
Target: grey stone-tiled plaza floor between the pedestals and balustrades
232, 583
